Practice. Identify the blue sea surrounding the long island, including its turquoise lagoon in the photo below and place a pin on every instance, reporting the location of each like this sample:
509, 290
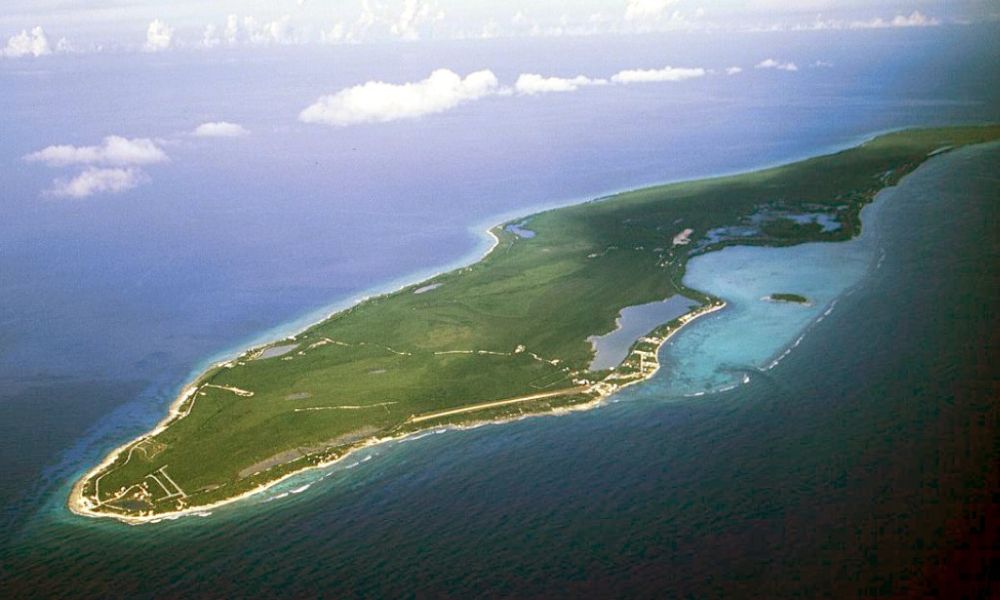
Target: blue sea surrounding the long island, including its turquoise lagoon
852, 466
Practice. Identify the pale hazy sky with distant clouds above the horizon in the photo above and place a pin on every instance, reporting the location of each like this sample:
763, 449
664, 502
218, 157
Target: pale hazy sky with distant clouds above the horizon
30, 28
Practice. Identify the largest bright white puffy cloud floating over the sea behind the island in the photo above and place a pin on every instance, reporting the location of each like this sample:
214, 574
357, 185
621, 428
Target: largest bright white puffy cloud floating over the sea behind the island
377, 101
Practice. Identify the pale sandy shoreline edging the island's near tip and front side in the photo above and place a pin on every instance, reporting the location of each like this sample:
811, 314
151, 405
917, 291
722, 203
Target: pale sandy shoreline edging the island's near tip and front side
80, 506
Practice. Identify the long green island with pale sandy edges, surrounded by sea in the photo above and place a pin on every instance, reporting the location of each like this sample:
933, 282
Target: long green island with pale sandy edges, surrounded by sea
505, 337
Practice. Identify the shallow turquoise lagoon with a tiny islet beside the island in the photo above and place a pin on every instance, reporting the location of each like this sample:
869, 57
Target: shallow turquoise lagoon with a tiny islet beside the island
752, 333
